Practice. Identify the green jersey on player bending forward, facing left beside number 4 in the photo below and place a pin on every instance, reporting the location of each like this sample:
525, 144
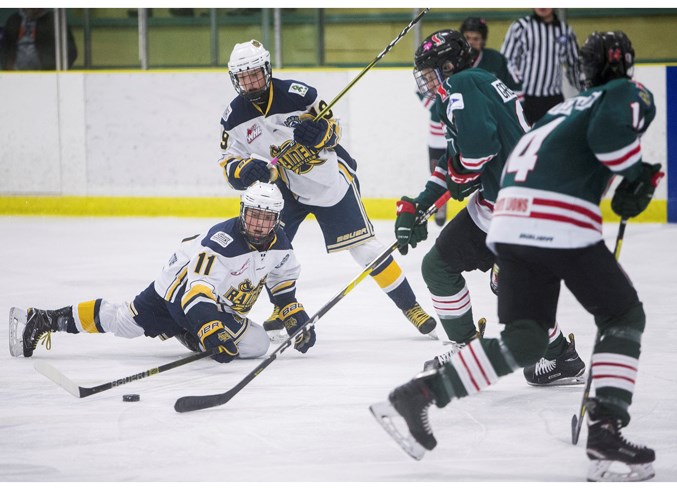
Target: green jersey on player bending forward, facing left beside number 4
483, 121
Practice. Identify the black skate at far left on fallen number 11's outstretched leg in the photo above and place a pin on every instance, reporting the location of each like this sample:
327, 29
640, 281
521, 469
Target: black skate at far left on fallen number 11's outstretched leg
26, 328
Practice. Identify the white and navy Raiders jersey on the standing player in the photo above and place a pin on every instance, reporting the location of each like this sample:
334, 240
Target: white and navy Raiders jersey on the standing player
315, 178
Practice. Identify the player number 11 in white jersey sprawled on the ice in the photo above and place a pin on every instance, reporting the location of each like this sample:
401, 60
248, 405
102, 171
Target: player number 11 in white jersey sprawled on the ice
202, 295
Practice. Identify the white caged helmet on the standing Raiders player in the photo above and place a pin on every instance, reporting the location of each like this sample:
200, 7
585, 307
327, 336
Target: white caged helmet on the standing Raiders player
250, 58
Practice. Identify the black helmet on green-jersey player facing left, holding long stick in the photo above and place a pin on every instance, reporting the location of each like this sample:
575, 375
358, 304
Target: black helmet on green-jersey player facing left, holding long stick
439, 56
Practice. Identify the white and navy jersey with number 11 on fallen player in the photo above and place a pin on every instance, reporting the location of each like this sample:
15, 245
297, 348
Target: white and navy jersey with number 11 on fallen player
220, 271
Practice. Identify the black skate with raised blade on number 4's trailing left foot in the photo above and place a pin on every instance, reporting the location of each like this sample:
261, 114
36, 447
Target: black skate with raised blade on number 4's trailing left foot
409, 402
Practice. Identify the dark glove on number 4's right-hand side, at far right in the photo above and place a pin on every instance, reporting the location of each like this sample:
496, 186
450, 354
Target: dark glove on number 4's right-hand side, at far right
632, 197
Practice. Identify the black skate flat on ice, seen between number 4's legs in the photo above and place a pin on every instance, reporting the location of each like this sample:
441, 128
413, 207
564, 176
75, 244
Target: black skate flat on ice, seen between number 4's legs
566, 369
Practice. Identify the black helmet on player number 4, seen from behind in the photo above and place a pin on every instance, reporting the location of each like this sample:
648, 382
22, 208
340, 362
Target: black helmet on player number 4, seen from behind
606, 56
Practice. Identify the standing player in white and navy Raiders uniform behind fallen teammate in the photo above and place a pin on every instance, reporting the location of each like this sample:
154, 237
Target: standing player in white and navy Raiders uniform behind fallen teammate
273, 119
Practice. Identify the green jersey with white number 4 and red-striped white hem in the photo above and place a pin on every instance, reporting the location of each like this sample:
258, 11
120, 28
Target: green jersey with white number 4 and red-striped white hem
557, 174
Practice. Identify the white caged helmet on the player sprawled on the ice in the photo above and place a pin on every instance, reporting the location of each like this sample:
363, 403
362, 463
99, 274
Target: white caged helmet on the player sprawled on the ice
260, 207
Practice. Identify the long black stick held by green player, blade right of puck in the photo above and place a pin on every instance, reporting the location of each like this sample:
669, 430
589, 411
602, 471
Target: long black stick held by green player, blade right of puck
191, 403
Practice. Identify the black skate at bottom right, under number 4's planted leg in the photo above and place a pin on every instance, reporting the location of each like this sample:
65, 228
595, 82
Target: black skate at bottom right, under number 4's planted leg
607, 446
